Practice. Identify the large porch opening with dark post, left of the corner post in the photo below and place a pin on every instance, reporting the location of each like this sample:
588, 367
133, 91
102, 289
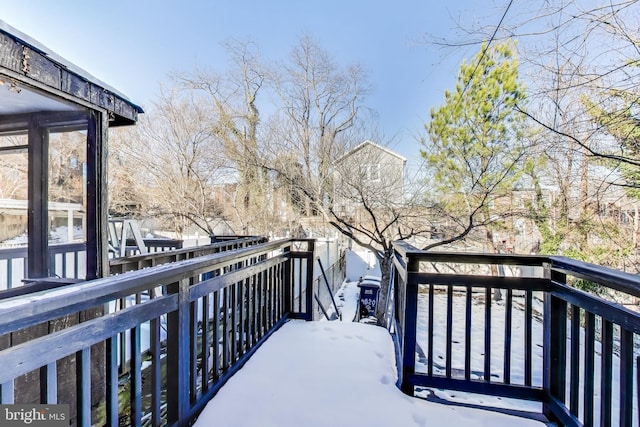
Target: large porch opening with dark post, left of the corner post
59, 135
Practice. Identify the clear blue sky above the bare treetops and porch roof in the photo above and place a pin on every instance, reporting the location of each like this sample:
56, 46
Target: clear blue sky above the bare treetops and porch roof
132, 45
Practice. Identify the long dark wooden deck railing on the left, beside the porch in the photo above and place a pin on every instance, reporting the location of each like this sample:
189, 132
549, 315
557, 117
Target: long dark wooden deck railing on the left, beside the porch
190, 325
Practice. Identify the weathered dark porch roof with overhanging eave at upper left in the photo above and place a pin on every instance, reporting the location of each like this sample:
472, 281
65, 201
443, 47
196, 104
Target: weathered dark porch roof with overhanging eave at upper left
35, 71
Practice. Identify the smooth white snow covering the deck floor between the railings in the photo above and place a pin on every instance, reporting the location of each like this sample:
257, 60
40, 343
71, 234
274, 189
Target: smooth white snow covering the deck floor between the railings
337, 374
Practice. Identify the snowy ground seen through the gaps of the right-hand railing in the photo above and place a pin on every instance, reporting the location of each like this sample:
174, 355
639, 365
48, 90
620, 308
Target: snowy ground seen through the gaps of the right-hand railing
497, 352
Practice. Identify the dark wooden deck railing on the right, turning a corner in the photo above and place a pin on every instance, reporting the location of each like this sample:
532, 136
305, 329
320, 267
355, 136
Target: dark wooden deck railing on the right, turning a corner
587, 369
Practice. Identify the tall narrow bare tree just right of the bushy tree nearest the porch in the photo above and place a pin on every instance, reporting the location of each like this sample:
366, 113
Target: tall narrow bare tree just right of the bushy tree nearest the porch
234, 98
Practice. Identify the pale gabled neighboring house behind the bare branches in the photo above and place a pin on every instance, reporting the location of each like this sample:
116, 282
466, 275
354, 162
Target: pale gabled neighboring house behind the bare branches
369, 176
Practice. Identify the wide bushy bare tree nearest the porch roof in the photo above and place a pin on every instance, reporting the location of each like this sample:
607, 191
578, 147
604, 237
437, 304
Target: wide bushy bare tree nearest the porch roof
174, 160
